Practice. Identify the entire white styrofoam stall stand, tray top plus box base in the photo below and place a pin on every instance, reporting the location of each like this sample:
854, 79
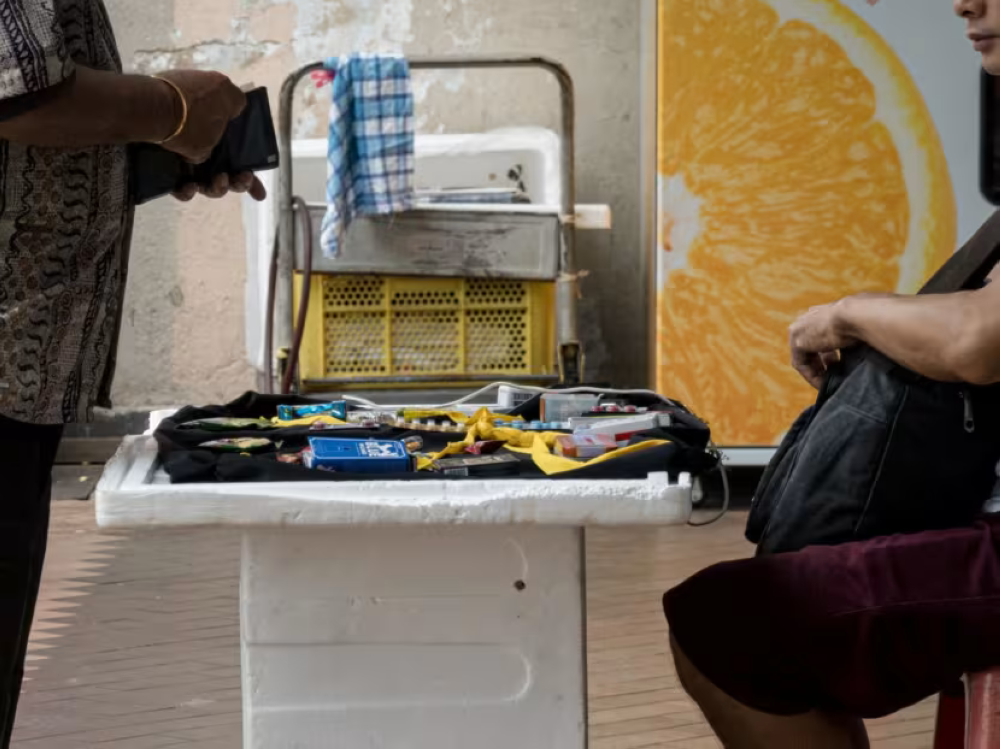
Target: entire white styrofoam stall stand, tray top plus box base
402, 615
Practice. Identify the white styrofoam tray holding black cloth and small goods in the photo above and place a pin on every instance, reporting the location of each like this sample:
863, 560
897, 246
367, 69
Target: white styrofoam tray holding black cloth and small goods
134, 492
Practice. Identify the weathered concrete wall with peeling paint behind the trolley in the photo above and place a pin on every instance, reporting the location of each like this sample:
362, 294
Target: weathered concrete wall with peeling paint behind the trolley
184, 330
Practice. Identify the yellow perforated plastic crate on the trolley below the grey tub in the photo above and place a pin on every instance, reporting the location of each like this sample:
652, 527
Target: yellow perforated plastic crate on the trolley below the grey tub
363, 329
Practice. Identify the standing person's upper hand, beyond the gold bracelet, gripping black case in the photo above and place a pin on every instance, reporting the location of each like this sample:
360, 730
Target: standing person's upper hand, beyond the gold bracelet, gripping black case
213, 101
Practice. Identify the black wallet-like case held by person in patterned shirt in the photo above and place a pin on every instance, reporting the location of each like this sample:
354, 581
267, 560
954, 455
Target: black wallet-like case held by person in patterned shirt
249, 145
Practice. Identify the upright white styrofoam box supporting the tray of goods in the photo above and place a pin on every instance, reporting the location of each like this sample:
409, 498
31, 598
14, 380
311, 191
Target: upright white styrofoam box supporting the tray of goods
413, 638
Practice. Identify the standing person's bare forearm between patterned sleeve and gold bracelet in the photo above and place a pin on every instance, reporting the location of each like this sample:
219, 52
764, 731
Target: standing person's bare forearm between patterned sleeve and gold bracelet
99, 108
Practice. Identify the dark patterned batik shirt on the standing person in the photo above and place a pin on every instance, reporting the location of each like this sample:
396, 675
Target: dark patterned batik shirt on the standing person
65, 224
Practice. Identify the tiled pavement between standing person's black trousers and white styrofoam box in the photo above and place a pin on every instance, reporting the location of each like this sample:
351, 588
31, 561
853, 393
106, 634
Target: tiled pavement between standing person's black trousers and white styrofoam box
137, 643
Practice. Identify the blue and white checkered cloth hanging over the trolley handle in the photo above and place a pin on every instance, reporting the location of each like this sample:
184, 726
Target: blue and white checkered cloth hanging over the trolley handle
371, 143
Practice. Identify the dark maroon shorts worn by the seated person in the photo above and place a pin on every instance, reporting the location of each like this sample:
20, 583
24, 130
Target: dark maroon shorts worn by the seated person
864, 629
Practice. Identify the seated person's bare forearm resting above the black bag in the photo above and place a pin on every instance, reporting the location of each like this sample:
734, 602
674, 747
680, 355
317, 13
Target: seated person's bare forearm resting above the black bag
939, 336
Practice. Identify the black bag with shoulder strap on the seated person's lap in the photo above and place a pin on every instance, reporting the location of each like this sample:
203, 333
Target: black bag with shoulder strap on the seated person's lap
885, 450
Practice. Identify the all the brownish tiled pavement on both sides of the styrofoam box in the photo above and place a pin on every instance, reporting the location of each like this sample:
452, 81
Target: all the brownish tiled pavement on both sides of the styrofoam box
137, 643
